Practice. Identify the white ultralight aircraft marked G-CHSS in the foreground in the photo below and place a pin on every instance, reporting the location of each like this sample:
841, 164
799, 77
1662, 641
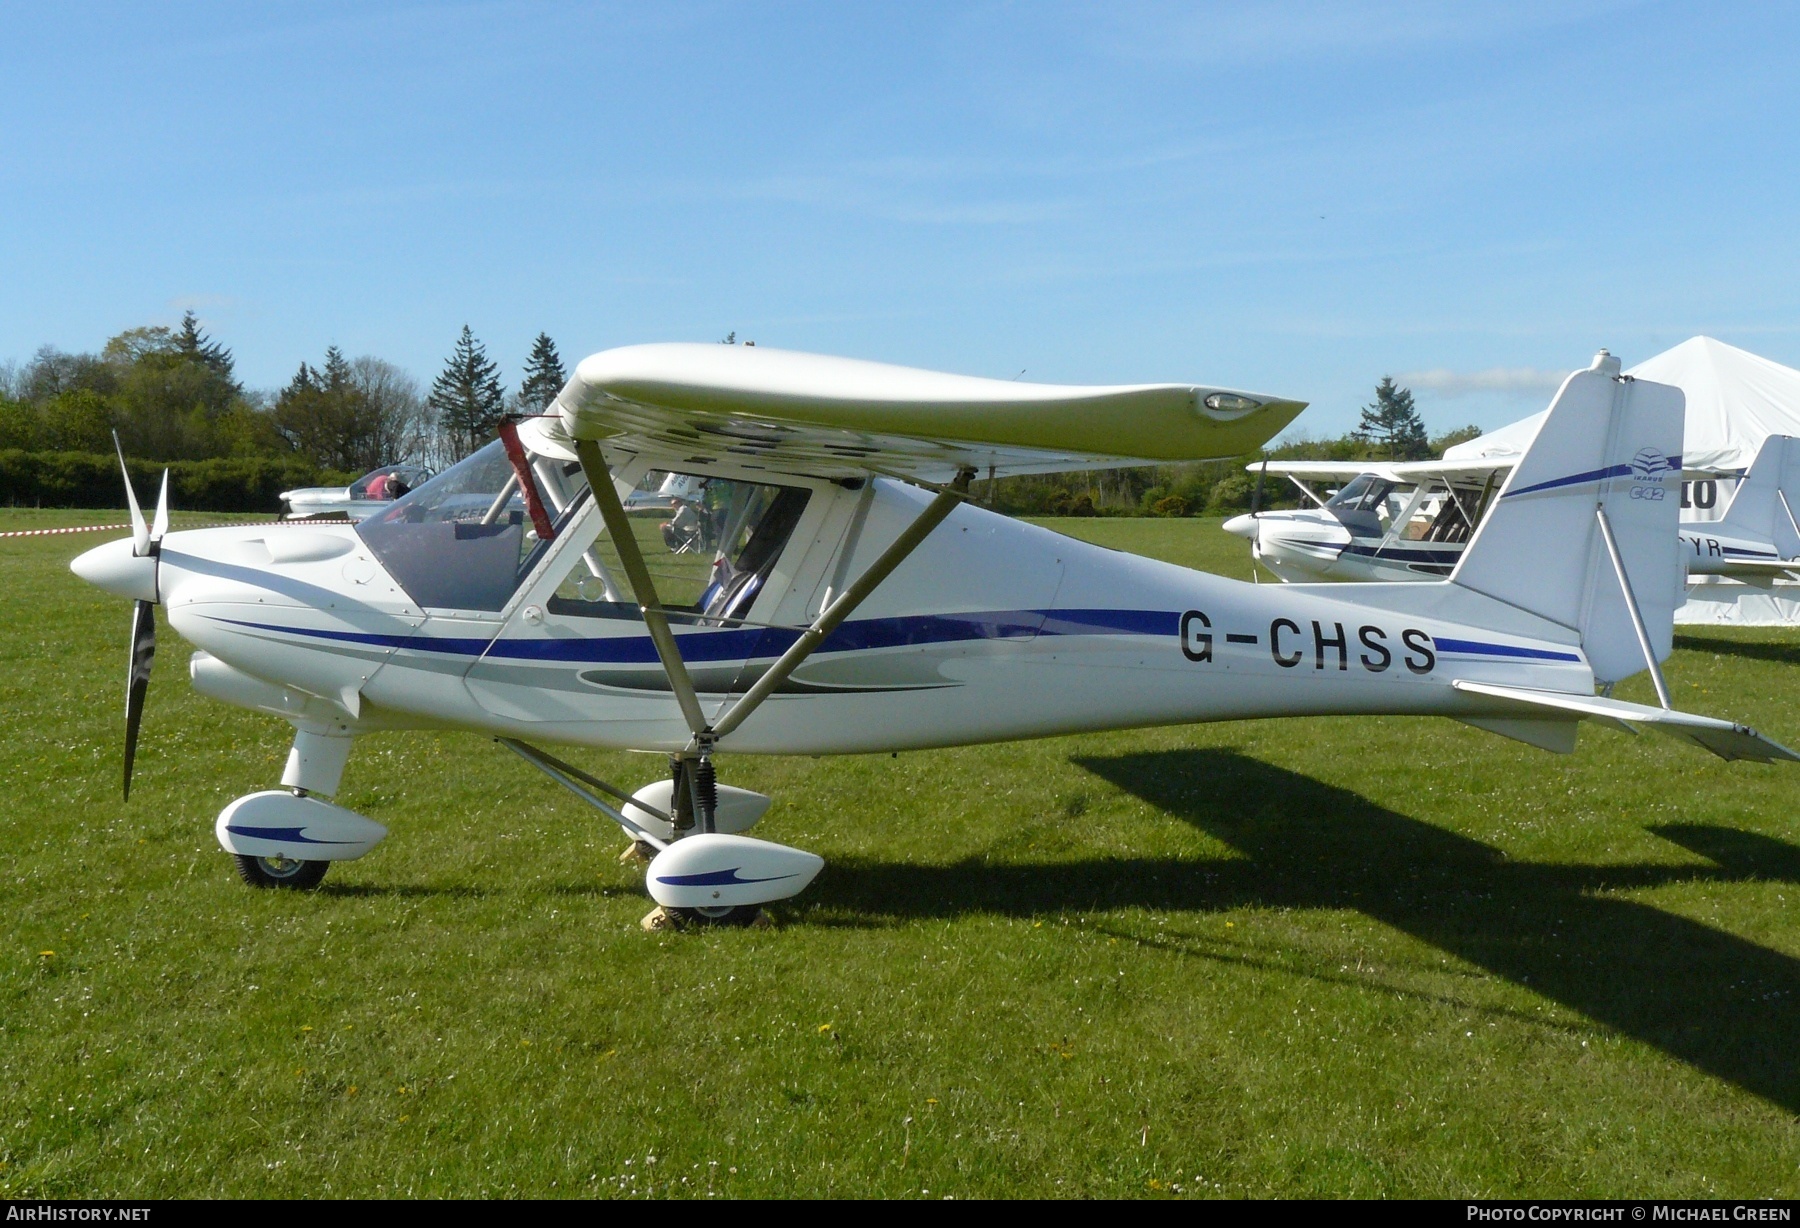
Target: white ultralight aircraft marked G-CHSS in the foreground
850, 599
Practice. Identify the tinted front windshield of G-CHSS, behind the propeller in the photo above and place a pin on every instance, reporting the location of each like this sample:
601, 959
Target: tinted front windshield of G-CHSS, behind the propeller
465, 539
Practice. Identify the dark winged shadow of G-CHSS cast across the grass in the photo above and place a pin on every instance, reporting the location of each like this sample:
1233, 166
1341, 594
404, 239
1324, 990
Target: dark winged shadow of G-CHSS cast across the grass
1713, 1000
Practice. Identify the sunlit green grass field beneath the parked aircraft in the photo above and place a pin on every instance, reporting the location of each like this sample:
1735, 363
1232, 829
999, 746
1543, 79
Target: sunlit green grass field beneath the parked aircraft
1309, 957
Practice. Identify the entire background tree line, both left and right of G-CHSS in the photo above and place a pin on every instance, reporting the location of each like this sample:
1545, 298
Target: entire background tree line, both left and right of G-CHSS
174, 395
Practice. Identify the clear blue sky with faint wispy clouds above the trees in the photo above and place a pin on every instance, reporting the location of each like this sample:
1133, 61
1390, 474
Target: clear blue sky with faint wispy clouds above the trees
1284, 197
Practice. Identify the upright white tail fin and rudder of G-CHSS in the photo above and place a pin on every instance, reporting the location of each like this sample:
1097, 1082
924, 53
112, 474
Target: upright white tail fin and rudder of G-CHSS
1610, 444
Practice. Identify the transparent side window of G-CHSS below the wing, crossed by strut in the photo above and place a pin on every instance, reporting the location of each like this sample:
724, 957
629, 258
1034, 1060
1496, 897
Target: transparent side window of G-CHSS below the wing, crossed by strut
708, 543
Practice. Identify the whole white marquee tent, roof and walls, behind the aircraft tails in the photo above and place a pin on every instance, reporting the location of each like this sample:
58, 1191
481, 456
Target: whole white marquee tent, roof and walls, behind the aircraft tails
1736, 401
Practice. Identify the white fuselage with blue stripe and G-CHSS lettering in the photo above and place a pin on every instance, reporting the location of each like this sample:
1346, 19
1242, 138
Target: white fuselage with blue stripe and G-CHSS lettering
991, 631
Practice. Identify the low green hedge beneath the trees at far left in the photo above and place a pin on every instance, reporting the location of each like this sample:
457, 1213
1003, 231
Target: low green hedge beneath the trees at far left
91, 480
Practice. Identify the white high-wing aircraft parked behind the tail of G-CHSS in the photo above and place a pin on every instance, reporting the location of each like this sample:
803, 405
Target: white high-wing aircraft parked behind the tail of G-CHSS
1414, 519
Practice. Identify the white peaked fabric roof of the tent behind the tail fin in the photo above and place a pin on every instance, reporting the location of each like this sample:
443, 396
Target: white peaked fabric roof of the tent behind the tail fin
1736, 401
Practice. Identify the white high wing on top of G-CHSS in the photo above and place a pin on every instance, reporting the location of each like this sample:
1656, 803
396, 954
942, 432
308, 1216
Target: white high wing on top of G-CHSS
778, 410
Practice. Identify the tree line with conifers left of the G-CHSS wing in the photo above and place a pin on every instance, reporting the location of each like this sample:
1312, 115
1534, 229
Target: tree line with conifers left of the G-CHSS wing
174, 395
